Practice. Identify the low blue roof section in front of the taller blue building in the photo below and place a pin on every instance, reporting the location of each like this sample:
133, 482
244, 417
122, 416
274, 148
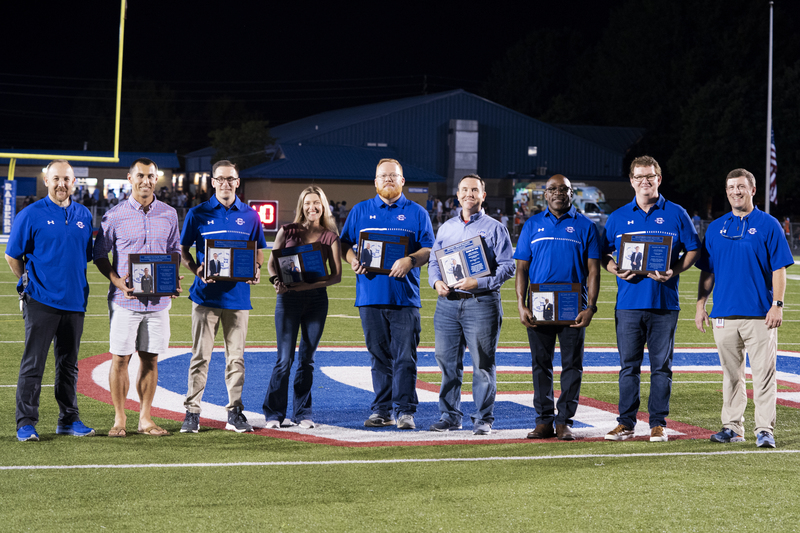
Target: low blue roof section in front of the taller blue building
309, 162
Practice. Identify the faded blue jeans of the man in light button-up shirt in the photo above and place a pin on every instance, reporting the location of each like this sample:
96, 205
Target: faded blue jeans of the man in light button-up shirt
475, 324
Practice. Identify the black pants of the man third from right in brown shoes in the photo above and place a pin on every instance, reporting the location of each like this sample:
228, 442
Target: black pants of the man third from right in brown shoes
542, 340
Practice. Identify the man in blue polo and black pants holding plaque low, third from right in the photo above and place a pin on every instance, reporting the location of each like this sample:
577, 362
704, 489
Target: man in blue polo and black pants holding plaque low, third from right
557, 245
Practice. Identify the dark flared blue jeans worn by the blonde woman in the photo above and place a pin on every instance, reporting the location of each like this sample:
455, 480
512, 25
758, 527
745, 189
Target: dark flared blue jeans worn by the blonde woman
305, 311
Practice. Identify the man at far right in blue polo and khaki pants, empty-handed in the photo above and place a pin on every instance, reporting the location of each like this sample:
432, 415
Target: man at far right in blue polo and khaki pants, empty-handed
743, 260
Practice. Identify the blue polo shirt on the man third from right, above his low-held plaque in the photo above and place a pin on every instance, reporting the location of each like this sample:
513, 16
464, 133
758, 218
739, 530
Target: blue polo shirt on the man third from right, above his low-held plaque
558, 248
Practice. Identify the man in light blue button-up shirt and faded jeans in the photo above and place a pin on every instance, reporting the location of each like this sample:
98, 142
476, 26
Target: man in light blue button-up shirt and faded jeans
470, 313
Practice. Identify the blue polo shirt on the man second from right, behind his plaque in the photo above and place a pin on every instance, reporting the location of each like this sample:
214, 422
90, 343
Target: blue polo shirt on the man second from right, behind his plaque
664, 218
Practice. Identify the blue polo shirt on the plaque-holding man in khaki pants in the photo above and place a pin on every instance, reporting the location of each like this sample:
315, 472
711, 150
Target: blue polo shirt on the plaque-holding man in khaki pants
210, 220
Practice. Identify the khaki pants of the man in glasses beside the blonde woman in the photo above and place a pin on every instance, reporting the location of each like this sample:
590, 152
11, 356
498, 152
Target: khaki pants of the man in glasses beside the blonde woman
205, 323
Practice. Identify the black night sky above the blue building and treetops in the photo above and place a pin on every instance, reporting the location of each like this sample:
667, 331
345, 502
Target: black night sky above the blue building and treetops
282, 60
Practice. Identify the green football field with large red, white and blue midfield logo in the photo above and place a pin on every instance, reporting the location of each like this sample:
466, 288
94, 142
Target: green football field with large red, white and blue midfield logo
339, 477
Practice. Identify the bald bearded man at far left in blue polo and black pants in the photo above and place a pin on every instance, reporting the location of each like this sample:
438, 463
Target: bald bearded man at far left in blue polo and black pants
49, 246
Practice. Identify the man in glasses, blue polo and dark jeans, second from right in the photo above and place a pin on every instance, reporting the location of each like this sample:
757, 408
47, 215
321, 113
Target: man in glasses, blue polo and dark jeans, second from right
647, 306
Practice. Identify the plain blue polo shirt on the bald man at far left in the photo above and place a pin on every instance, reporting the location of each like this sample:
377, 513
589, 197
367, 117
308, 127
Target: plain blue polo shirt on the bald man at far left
56, 243
